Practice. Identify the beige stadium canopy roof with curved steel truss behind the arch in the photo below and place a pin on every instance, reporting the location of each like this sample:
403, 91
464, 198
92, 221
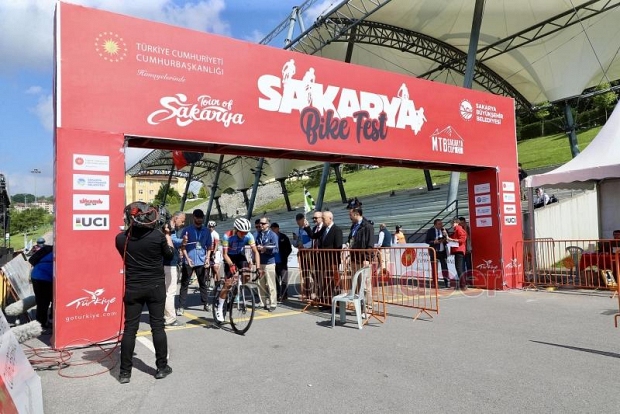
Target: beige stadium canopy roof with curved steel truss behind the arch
531, 50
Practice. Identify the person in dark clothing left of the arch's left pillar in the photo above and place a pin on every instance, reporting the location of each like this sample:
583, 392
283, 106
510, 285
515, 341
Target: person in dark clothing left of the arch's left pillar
42, 276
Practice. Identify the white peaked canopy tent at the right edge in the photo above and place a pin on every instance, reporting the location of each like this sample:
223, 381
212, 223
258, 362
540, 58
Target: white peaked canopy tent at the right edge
596, 166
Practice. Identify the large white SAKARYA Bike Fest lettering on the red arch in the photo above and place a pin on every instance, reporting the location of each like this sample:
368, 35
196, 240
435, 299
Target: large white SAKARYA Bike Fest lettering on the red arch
324, 109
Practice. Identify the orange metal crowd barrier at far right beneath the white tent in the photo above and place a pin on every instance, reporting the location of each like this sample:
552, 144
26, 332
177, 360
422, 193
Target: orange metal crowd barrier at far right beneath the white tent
578, 264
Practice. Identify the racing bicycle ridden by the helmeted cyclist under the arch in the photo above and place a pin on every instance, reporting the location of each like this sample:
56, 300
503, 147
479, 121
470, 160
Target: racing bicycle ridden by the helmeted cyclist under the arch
239, 303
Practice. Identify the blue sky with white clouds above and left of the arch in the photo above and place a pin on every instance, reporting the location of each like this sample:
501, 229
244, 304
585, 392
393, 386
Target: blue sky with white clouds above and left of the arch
26, 66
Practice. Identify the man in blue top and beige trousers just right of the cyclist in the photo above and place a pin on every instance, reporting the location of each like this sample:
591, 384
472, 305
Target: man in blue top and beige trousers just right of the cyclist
267, 246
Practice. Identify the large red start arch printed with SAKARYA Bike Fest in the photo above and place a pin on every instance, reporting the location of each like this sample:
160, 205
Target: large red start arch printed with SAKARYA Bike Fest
123, 81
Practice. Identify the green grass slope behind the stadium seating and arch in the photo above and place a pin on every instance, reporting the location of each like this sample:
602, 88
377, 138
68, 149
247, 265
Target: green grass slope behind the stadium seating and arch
533, 153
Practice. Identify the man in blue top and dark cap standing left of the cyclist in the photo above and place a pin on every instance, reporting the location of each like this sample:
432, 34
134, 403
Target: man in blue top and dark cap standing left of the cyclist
198, 247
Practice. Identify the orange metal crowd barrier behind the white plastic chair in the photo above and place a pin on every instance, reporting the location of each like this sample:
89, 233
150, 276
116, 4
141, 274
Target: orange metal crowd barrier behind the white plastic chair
400, 276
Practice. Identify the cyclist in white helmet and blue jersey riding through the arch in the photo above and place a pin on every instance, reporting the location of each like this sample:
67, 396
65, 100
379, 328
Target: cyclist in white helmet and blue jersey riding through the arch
234, 247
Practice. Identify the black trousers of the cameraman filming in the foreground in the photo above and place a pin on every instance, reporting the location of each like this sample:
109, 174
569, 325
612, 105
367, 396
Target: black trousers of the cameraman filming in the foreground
154, 297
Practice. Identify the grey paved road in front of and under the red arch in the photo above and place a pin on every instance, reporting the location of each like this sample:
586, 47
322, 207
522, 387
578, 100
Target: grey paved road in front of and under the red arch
485, 352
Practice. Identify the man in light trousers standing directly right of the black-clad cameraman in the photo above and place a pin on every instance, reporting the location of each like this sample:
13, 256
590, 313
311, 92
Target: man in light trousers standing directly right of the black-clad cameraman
171, 268
